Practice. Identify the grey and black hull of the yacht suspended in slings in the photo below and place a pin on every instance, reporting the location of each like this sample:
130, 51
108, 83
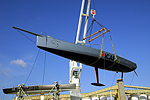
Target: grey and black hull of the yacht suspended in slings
86, 55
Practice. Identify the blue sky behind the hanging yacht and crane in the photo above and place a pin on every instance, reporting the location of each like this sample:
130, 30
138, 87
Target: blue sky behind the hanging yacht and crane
128, 21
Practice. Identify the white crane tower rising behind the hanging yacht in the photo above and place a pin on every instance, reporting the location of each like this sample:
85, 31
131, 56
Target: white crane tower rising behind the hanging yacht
75, 70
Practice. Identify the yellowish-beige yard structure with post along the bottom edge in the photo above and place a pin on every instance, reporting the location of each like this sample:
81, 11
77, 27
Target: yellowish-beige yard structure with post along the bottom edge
111, 93
